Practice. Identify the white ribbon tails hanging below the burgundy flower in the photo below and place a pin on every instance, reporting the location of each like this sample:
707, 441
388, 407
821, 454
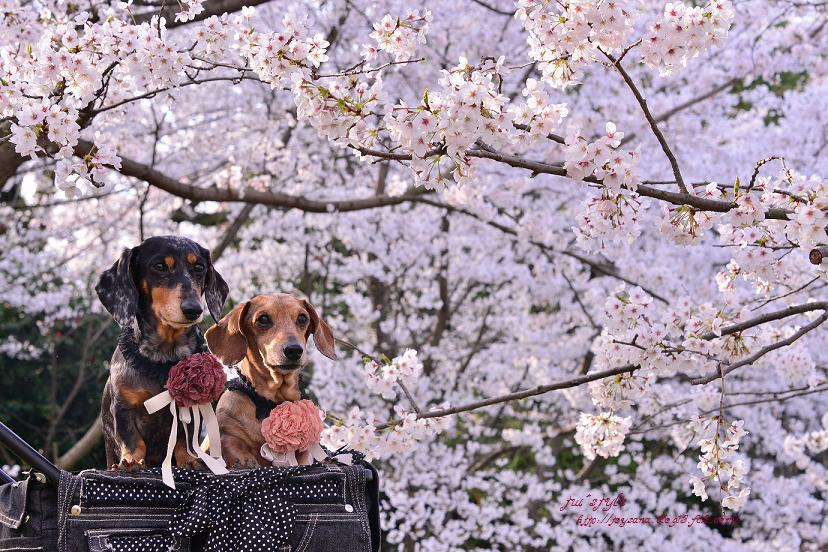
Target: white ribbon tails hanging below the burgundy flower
193, 413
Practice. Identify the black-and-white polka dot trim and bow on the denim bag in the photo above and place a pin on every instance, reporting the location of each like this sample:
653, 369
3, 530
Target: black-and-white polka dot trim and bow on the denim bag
250, 511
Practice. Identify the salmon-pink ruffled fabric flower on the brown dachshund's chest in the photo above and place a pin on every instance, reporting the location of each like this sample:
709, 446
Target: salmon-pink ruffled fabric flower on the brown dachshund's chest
292, 426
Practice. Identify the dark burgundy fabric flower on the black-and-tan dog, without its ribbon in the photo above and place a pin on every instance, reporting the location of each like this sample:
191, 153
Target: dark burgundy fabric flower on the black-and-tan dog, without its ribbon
198, 379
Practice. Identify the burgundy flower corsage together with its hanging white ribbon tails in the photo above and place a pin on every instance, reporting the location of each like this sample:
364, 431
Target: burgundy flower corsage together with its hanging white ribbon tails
192, 385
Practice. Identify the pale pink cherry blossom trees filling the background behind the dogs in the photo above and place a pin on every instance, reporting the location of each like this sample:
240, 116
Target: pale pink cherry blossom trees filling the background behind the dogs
569, 248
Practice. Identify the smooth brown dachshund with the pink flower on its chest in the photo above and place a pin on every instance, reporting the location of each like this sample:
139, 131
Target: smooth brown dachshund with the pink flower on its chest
266, 339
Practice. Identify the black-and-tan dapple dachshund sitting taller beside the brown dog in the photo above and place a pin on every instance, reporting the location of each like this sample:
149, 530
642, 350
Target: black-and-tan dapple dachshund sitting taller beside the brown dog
154, 293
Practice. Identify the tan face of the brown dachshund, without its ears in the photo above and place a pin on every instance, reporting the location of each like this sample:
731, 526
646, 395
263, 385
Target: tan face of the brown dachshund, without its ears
274, 321
